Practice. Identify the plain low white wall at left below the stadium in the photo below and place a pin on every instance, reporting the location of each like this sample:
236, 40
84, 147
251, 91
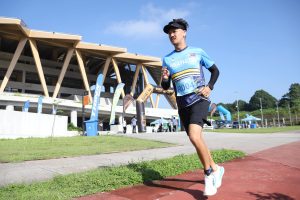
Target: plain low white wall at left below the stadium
15, 124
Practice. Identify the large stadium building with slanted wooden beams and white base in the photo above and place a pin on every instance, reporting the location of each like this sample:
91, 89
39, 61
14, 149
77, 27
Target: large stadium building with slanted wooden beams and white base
62, 68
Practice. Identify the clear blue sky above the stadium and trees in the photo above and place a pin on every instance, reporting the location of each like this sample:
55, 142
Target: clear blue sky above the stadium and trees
254, 43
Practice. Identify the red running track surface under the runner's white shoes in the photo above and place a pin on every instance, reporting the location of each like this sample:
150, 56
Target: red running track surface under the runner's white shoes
269, 174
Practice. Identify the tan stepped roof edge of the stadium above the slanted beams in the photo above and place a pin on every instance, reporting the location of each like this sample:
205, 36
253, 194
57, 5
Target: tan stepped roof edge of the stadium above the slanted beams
16, 29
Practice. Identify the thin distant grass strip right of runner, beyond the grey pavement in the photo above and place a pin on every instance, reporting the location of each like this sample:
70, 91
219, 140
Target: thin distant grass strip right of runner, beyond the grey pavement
257, 130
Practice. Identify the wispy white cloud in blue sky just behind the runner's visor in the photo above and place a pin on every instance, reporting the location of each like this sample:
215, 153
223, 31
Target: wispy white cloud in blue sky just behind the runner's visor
150, 22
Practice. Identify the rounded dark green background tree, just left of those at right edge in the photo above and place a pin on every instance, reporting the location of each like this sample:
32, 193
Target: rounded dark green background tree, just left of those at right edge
267, 100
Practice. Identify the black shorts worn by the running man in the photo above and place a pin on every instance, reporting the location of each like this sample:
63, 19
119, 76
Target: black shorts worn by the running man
194, 114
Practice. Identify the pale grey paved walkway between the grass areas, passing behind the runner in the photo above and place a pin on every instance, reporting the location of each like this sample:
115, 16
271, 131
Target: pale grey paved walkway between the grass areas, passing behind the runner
30, 171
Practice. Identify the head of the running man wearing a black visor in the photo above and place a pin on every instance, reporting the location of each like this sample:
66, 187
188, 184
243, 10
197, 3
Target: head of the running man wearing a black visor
176, 29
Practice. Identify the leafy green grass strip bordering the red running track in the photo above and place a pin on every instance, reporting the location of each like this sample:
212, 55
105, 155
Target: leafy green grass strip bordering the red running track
106, 179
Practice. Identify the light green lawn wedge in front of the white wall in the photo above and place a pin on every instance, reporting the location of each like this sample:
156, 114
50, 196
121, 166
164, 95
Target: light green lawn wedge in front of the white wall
46, 148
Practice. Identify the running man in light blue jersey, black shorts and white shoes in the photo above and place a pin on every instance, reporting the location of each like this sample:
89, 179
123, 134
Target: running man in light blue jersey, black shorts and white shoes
184, 67
